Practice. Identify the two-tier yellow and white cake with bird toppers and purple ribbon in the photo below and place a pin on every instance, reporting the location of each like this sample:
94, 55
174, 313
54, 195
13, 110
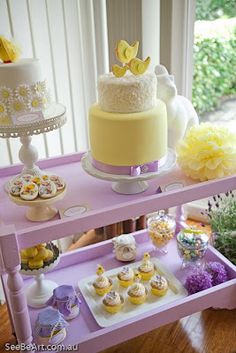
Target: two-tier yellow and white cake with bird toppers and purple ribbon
128, 125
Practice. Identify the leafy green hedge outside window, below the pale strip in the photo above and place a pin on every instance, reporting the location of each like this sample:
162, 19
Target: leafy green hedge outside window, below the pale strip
214, 71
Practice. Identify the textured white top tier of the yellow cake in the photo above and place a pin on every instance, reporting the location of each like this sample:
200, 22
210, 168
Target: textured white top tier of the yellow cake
127, 94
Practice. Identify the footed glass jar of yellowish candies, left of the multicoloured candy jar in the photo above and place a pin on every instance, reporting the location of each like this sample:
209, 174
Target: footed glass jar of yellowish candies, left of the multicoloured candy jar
161, 229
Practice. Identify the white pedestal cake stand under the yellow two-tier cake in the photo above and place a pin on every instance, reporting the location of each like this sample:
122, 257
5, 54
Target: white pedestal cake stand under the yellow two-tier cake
125, 184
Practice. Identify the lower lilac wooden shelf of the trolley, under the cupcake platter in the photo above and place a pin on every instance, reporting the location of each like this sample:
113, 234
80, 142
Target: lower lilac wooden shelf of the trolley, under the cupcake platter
82, 263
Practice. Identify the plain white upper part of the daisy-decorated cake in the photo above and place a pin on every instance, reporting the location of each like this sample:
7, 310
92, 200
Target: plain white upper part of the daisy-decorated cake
23, 72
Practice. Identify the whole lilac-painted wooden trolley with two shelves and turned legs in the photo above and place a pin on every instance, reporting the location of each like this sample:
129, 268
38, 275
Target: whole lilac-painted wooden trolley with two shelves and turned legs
105, 207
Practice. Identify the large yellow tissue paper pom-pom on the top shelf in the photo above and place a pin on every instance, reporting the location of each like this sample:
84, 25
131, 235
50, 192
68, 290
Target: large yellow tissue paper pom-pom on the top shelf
207, 152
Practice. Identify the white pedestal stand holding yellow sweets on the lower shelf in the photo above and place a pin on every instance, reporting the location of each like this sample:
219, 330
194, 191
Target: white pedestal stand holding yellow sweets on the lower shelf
41, 289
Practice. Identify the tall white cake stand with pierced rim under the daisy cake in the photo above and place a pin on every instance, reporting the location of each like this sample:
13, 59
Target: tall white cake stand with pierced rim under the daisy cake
54, 118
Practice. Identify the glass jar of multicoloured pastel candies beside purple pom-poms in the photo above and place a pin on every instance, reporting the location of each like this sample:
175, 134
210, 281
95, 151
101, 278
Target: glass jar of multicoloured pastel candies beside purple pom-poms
192, 245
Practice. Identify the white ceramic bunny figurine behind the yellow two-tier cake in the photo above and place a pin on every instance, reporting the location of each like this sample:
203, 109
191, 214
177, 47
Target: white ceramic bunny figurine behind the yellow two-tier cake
181, 114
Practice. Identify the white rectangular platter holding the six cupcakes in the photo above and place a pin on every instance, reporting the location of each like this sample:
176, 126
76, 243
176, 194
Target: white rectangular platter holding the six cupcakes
104, 319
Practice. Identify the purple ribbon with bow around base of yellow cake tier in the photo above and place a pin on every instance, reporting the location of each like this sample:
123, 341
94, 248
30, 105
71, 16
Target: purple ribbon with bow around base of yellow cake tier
127, 170
